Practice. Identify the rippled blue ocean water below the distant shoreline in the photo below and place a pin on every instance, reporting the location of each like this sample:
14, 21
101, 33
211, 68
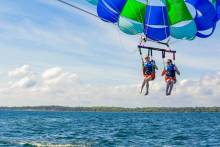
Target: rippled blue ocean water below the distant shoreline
82, 129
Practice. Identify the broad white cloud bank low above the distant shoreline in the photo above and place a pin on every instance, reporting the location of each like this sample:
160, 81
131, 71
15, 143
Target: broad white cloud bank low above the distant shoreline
56, 86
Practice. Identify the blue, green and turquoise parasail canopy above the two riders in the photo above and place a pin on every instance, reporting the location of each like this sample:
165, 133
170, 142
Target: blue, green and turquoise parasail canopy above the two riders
161, 19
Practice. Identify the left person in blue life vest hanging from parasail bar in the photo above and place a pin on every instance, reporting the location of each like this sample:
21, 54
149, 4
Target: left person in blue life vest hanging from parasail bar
149, 72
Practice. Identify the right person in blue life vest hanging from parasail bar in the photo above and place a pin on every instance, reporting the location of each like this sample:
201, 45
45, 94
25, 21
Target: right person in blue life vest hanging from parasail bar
170, 76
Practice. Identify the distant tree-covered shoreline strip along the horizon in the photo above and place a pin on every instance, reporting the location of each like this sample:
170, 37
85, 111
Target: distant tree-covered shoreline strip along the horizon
112, 109
